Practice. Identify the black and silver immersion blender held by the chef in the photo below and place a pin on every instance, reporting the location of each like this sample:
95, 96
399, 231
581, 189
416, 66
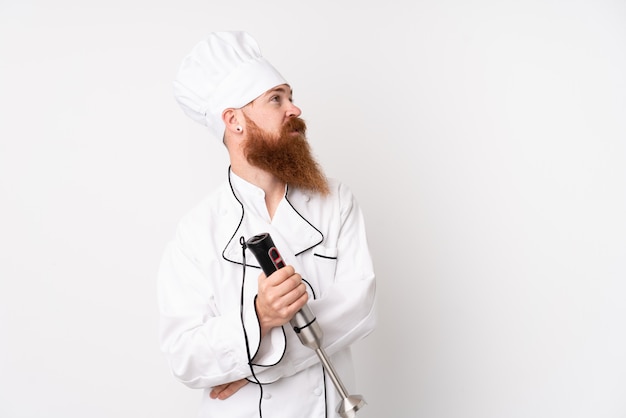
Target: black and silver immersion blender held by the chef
304, 323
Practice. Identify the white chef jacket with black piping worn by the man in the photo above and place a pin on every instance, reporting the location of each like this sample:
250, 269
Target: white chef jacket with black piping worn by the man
208, 323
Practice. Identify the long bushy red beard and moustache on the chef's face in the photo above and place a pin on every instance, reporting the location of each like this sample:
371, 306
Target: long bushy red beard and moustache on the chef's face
288, 156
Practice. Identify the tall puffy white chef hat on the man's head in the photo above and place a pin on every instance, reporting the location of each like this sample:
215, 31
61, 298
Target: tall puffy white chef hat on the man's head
226, 70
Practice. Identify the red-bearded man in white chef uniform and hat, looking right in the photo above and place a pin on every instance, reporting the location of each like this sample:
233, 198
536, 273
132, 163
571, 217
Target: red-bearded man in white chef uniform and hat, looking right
224, 325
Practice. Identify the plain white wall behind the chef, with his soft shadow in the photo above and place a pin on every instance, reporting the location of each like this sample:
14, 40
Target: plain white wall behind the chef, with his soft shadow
484, 139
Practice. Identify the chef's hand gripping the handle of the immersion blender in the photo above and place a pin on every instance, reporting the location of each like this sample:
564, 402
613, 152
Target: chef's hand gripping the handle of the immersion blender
280, 296
